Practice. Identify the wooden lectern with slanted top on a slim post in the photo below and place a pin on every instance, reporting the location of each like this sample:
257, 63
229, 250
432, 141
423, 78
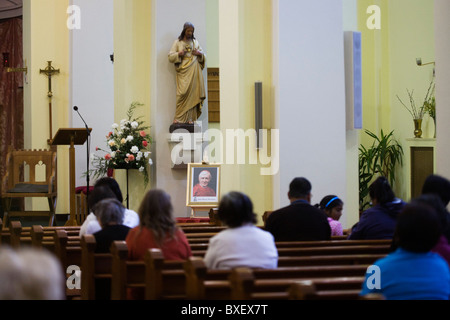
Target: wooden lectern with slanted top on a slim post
71, 137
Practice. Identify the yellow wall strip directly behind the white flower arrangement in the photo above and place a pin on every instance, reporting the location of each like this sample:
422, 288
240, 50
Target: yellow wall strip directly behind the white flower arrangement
132, 48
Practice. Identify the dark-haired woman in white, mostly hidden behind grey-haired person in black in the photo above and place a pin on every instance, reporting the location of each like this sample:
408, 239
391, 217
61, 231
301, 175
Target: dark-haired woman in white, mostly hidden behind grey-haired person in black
90, 224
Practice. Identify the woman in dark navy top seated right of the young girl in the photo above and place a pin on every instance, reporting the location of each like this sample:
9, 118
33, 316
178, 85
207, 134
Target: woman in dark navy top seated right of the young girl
379, 221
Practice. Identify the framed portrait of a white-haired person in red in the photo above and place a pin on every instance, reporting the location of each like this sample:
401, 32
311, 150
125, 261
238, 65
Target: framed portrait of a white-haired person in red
203, 185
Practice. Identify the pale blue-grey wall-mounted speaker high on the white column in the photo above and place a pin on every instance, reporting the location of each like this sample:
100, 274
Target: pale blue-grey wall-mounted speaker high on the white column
353, 79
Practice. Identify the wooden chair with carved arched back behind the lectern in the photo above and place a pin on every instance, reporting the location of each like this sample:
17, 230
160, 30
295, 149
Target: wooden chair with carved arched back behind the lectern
14, 185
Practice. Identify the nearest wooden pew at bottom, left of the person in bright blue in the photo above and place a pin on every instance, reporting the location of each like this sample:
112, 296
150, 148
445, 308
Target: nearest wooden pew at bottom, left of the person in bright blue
327, 289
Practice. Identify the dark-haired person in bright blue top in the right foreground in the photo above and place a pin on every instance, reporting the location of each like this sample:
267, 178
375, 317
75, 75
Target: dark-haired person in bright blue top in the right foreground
412, 271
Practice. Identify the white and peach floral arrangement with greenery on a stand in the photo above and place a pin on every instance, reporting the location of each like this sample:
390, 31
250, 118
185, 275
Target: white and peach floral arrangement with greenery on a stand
129, 148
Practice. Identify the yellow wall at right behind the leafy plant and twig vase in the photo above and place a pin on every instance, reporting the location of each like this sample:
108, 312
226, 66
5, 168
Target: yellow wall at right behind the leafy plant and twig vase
389, 68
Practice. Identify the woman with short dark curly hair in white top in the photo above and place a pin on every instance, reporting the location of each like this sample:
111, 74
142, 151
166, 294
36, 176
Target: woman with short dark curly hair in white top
243, 243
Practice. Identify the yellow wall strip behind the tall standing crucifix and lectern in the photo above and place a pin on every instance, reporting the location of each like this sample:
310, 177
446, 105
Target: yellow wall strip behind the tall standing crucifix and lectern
46, 38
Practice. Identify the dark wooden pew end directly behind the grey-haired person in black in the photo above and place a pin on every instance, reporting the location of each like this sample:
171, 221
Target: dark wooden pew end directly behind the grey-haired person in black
96, 271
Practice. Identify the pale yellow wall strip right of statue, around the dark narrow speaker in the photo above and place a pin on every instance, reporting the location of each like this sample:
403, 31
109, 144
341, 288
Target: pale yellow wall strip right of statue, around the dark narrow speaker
250, 60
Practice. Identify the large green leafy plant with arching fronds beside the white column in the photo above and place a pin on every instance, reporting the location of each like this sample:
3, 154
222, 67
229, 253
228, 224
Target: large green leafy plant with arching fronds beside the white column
380, 159
